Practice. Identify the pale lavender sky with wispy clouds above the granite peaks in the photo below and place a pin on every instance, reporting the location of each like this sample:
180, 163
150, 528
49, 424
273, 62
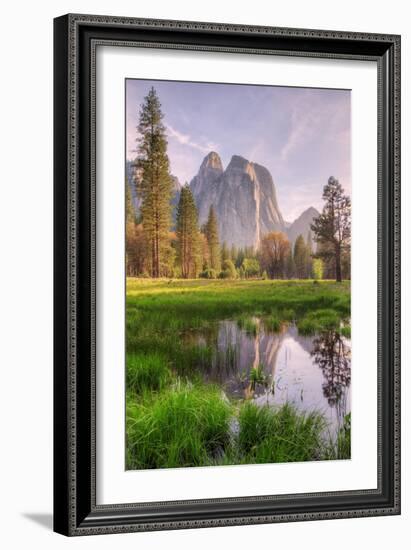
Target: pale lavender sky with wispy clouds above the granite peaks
302, 135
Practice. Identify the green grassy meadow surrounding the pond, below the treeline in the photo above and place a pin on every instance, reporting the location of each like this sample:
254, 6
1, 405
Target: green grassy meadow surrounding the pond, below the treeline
178, 418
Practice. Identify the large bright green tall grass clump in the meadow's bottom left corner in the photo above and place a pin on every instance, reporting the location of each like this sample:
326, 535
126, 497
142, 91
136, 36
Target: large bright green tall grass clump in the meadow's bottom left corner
183, 426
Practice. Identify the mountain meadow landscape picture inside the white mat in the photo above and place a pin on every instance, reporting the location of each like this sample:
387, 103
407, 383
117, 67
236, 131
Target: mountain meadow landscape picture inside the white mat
238, 274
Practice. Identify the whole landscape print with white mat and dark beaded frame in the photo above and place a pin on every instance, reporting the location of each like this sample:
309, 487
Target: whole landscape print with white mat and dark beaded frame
227, 280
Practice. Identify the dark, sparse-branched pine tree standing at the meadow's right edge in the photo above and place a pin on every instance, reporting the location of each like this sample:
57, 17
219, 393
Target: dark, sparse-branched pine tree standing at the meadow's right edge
332, 228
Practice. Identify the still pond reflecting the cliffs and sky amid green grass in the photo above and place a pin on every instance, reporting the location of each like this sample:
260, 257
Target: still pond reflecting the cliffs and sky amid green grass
251, 361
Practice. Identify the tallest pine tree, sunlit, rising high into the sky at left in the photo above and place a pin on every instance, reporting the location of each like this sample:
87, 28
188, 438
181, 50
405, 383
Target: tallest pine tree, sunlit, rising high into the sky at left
154, 184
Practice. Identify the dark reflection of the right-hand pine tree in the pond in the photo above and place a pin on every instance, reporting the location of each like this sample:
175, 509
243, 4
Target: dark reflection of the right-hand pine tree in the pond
333, 356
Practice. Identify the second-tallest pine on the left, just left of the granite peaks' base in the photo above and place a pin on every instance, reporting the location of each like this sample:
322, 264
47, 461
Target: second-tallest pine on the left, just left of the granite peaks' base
187, 231
